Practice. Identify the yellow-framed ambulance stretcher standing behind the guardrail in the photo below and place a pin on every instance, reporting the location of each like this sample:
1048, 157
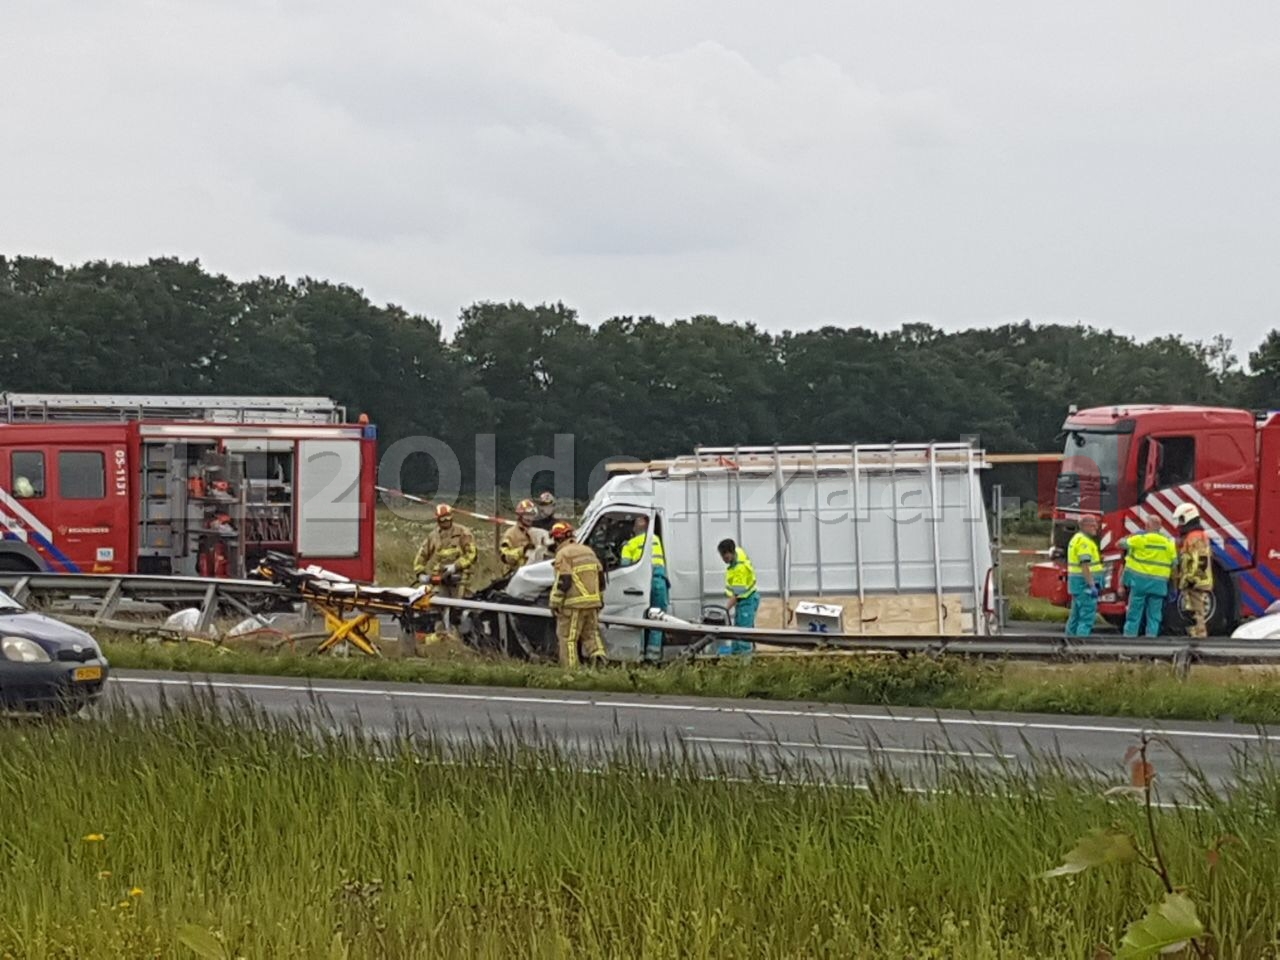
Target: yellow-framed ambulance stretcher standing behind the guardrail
350, 610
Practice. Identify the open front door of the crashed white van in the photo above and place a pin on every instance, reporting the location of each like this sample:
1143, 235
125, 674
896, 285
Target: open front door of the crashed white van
627, 591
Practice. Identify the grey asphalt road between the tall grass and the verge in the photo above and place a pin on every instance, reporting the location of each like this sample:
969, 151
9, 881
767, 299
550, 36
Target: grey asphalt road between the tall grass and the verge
725, 737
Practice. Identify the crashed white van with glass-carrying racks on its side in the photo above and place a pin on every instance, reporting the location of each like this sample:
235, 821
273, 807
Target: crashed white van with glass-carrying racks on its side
853, 525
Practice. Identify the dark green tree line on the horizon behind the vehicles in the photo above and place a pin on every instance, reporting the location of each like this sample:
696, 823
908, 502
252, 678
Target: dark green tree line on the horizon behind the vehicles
628, 386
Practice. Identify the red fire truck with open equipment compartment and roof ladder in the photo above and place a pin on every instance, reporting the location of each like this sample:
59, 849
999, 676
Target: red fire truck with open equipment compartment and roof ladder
184, 486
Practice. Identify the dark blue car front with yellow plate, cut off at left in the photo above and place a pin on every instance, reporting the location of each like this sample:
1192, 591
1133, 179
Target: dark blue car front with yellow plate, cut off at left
47, 666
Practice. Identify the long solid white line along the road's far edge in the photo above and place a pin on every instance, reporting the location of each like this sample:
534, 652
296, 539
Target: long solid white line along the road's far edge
1264, 738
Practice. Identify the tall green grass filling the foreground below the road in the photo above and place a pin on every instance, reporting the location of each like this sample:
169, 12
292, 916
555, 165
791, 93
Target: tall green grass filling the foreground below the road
152, 835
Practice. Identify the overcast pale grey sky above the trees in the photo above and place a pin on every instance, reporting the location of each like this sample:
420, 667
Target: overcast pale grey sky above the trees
793, 164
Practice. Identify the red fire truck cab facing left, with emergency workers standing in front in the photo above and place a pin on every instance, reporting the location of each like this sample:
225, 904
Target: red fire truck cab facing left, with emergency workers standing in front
1122, 463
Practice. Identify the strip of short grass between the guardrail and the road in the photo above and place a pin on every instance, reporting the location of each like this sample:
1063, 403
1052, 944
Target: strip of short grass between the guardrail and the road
1247, 697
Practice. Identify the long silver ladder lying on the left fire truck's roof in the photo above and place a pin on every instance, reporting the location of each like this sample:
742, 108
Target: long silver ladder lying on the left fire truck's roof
99, 408
